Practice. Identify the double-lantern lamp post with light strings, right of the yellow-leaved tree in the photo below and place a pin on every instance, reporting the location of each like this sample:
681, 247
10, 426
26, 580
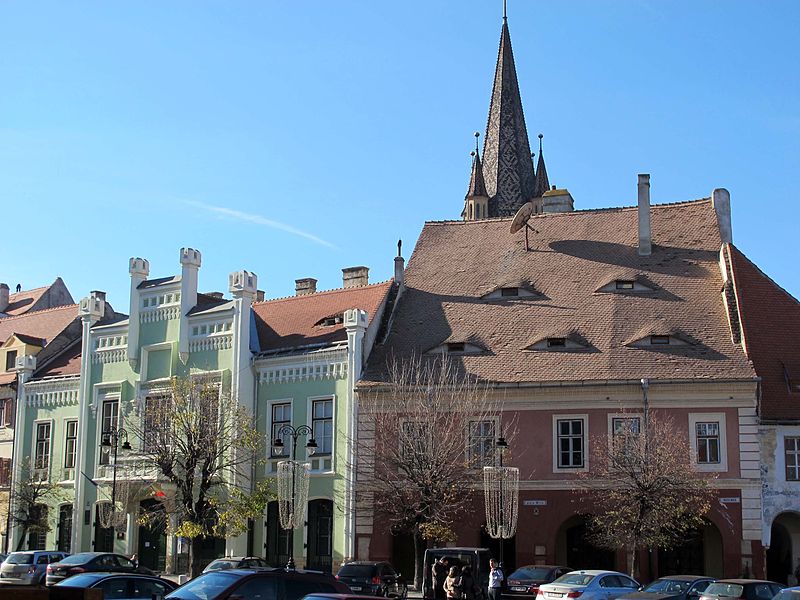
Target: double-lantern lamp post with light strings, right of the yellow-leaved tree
293, 482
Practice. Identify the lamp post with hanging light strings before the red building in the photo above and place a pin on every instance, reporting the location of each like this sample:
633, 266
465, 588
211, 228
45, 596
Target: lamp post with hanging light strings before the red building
501, 493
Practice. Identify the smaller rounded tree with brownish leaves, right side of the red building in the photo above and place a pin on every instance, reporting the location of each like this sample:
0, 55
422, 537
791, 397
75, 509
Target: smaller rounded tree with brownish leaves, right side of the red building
644, 489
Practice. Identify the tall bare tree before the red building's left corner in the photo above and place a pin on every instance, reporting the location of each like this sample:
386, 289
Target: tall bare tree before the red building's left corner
414, 464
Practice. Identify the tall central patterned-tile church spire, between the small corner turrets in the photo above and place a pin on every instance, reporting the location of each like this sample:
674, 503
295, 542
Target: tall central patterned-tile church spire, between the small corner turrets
507, 164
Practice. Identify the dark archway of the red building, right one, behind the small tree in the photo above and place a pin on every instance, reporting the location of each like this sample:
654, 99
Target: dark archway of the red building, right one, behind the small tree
699, 554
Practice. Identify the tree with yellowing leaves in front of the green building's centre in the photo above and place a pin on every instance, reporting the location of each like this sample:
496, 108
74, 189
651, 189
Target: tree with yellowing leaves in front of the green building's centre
205, 445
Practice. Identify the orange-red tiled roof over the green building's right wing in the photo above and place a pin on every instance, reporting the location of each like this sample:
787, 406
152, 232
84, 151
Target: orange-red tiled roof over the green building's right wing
294, 321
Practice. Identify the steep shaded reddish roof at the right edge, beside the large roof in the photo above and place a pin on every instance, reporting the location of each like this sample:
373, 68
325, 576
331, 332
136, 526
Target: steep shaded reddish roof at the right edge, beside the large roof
770, 319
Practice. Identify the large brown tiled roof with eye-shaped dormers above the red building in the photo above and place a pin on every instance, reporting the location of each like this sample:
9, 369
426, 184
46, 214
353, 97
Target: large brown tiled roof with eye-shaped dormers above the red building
455, 262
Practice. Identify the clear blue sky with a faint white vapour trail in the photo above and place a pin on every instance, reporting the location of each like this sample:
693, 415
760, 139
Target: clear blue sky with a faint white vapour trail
295, 138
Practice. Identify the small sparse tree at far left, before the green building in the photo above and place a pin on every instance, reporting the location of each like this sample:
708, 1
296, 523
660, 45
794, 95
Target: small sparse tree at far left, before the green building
30, 496
